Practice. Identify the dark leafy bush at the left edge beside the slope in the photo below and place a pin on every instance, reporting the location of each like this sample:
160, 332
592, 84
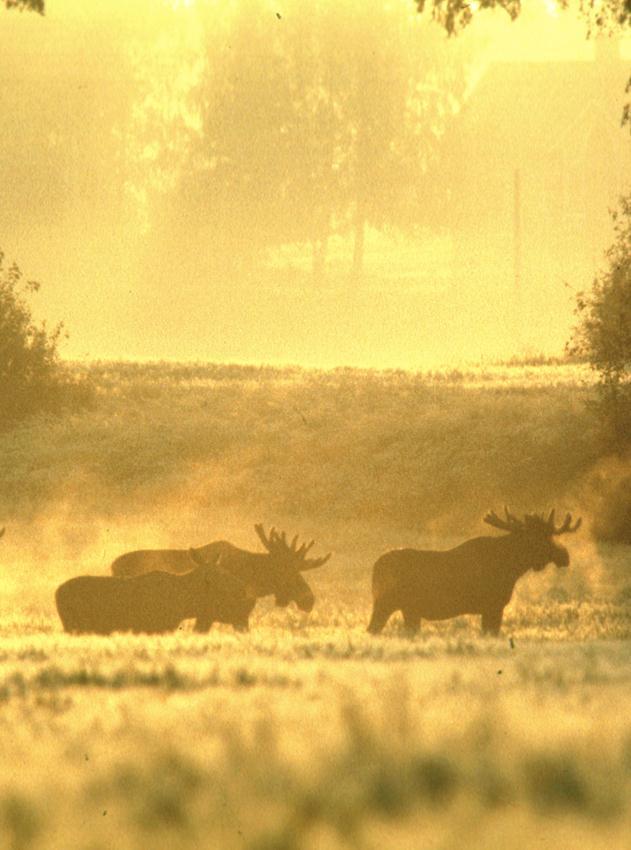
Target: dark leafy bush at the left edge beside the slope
31, 376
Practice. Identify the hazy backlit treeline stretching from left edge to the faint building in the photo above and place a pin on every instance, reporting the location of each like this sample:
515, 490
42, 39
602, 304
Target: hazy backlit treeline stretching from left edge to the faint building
220, 131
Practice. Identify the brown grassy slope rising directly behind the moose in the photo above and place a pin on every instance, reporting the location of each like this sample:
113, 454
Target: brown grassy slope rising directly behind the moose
407, 450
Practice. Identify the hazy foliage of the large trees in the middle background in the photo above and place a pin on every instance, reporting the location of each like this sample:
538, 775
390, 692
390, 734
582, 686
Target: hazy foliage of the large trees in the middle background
297, 127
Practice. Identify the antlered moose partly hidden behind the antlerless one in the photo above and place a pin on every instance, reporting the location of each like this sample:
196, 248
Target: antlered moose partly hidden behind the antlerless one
276, 571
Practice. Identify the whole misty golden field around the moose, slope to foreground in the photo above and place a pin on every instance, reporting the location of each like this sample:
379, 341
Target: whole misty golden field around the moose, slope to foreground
306, 732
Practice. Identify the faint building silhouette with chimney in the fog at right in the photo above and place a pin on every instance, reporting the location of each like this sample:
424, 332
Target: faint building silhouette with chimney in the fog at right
528, 173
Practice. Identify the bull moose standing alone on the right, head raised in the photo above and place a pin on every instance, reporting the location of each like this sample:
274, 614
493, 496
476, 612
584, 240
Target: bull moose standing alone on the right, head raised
476, 577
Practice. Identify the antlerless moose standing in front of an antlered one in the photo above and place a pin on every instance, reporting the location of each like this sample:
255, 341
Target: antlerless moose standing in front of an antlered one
154, 602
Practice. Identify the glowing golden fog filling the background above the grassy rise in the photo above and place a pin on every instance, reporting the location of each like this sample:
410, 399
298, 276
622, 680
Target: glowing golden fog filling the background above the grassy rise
325, 184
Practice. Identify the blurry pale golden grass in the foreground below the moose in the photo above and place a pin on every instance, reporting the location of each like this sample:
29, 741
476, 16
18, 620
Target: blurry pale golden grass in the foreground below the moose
318, 738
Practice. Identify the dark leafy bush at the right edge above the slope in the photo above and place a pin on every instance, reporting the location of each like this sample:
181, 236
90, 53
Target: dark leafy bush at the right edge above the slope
603, 334
